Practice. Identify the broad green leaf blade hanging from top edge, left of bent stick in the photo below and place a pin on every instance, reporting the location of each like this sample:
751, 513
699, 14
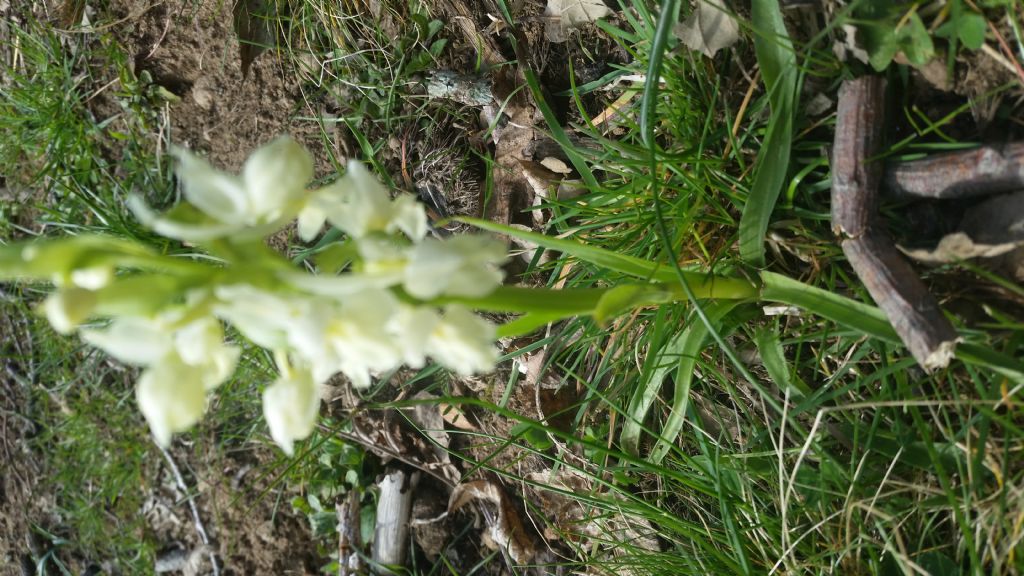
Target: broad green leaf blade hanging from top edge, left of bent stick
779, 68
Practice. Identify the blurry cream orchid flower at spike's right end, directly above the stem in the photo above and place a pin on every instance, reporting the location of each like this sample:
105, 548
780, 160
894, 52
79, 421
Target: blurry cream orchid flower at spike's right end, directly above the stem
463, 266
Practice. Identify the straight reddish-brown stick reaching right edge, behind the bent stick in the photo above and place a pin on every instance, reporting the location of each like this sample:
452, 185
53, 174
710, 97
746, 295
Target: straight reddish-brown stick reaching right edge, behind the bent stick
960, 175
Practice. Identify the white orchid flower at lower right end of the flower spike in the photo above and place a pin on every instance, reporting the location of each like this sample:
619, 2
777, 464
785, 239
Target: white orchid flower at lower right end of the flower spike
463, 342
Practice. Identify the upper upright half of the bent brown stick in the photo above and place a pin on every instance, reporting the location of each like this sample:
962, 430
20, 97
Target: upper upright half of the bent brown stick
859, 138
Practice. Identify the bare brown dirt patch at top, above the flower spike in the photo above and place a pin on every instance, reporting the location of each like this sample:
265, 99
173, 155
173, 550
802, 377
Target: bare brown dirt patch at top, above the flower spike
191, 51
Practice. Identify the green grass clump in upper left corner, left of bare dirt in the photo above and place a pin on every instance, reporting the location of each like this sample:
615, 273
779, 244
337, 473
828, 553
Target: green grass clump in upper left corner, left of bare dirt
78, 168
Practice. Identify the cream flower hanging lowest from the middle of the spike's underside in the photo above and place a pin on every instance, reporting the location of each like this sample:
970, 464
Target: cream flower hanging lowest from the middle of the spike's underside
291, 406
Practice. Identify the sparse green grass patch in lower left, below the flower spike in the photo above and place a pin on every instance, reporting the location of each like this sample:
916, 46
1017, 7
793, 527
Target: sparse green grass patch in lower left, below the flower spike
96, 447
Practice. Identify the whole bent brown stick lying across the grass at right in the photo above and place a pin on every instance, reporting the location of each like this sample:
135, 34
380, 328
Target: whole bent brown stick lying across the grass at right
912, 310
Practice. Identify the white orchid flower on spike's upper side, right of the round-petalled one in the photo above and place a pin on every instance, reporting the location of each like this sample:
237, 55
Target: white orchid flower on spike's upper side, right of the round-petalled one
360, 205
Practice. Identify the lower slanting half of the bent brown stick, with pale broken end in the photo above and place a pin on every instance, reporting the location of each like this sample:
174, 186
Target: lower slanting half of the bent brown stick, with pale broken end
900, 293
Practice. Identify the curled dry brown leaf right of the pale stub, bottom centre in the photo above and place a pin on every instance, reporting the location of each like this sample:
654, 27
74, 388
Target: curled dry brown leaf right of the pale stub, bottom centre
508, 531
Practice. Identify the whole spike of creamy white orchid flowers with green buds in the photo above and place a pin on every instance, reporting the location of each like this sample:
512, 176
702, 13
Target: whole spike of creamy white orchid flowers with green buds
378, 303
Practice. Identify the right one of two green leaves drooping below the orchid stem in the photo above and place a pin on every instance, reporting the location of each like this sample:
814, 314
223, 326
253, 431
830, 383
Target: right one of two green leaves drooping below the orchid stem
695, 340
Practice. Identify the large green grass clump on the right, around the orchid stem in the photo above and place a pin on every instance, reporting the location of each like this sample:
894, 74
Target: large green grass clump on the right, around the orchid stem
818, 448
